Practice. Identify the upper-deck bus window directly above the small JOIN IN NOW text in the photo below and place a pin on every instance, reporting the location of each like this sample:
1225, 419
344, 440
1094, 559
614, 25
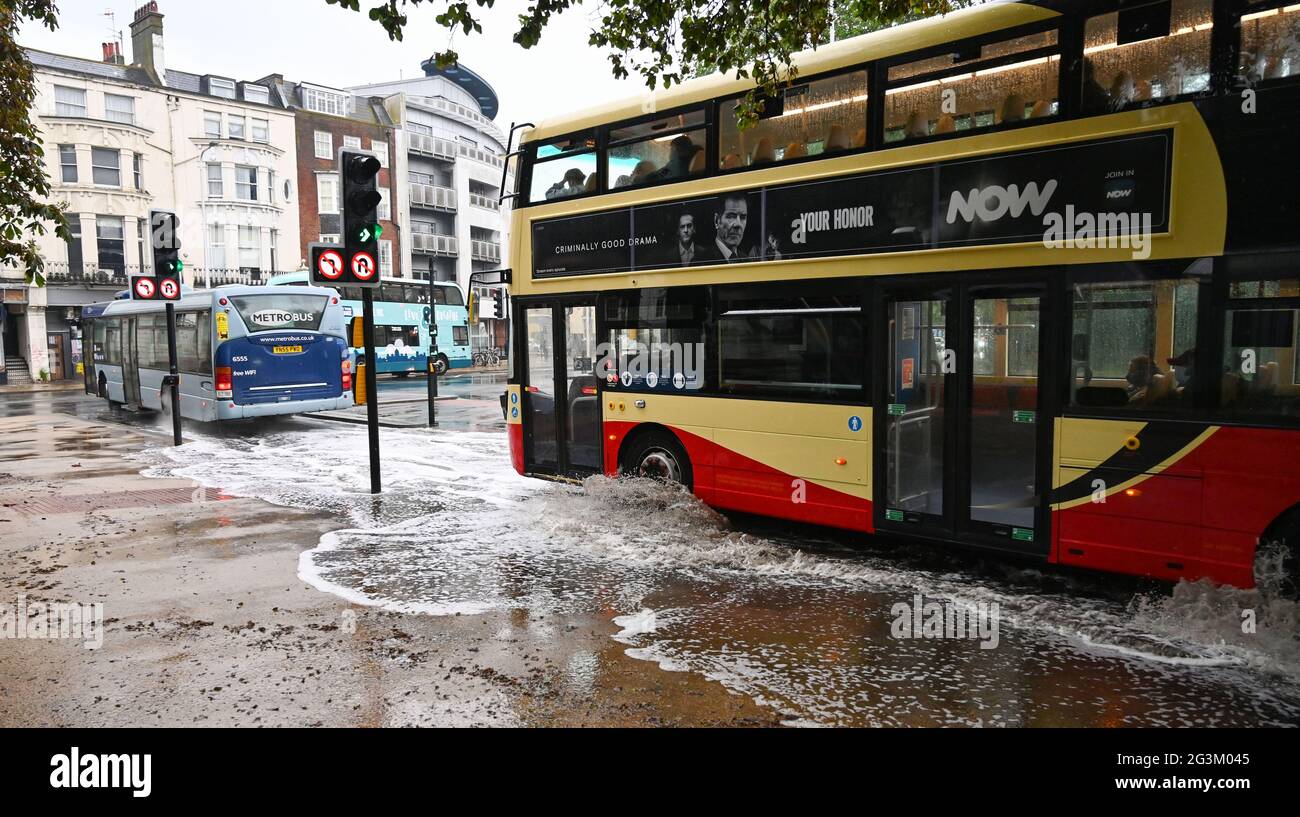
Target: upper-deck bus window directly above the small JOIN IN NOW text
1147, 53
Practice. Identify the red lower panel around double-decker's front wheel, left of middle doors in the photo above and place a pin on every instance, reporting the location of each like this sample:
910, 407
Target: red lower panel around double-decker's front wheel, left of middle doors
734, 482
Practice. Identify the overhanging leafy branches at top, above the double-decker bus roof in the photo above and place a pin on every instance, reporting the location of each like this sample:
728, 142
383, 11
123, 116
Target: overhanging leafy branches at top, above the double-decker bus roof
665, 42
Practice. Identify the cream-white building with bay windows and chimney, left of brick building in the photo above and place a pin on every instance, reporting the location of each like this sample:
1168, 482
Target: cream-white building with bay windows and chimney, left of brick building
123, 140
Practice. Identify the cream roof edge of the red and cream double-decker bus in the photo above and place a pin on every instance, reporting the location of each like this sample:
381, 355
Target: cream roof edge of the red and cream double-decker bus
885, 44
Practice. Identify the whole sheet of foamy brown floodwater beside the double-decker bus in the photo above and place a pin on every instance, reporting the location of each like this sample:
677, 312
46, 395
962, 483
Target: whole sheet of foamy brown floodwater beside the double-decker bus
818, 626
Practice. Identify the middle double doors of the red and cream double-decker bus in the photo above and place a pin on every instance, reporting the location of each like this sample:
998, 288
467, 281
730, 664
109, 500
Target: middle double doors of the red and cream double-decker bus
964, 455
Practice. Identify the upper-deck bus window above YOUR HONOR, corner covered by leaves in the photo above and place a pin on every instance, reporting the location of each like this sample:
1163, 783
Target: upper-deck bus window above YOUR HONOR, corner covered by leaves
824, 116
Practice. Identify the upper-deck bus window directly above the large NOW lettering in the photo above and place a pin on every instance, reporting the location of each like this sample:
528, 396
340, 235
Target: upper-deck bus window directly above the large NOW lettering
1004, 83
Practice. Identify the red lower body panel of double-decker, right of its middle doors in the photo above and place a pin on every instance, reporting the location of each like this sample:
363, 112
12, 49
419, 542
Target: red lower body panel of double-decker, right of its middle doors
1199, 518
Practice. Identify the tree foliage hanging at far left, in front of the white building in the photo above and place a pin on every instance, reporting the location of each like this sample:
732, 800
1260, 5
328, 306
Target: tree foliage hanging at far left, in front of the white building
25, 187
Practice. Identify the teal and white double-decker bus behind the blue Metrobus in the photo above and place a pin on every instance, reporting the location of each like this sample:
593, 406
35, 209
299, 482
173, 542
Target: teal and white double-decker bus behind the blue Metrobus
402, 323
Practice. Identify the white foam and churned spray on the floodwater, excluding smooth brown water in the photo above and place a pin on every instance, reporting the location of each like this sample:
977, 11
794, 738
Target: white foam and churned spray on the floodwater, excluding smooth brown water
458, 531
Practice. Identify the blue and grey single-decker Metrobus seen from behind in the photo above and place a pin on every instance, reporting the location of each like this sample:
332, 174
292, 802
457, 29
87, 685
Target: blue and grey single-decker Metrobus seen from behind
242, 352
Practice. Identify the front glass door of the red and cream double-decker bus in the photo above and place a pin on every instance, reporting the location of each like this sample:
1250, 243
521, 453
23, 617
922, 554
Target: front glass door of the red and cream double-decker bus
562, 405
